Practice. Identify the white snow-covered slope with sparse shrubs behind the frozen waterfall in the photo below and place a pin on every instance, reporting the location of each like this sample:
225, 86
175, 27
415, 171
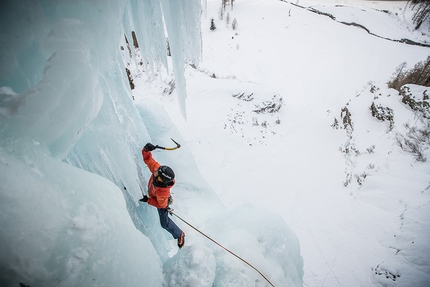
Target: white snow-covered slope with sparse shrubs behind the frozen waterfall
356, 200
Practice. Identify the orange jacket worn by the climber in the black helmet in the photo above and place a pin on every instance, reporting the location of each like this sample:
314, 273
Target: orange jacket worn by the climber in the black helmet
158, 196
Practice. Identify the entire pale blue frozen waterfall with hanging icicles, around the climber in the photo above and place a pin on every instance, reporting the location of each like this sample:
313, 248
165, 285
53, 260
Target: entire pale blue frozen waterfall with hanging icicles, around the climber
71, 171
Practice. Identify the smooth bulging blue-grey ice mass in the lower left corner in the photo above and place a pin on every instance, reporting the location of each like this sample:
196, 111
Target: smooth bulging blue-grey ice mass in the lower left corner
62, 226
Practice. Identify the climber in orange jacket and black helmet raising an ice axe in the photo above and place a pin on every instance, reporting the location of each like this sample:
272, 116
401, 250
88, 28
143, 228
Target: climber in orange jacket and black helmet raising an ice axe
160, 182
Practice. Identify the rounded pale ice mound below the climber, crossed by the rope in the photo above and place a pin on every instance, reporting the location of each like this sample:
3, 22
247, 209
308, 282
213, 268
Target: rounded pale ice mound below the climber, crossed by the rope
258, 241
